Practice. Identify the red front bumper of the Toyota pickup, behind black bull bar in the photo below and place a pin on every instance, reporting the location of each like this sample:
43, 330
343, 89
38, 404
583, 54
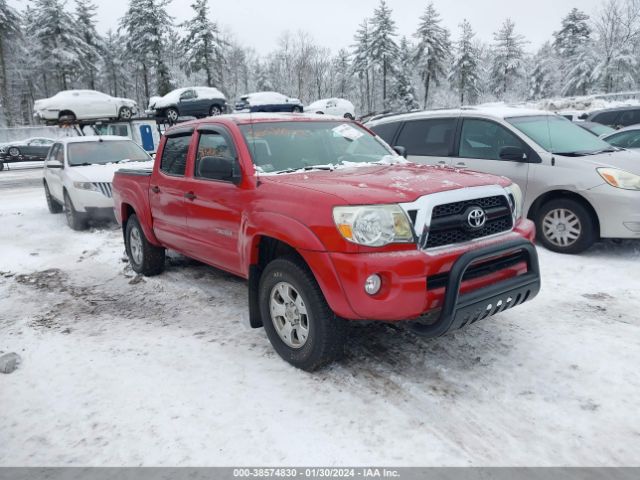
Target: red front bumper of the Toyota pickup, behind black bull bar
416, 282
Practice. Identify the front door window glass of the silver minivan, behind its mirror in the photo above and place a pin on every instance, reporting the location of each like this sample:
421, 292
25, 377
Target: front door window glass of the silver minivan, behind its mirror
484, 139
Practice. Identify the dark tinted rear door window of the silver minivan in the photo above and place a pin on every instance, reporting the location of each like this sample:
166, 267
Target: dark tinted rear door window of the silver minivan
432, 137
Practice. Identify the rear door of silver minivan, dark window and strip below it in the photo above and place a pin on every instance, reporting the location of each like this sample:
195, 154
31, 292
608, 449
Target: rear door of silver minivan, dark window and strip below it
429, 140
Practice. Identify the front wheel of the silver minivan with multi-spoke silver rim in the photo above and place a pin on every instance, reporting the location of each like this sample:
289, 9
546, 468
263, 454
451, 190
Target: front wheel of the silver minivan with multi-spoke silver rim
551, 238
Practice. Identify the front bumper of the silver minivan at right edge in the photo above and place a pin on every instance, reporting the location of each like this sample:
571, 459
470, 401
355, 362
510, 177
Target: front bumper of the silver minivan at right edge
618, 211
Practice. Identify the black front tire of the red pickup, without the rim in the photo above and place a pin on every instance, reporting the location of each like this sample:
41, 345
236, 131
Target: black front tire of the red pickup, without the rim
326, 332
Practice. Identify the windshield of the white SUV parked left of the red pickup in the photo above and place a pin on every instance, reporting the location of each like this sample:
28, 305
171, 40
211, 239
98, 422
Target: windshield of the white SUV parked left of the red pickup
102, 152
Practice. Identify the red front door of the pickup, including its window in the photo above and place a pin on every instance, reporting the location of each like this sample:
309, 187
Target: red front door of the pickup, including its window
214, 207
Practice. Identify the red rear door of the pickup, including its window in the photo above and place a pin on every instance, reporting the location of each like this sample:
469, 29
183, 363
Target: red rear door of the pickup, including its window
168, 188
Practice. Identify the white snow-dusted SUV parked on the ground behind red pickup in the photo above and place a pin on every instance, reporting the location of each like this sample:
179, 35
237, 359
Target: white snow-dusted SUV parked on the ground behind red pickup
78, 173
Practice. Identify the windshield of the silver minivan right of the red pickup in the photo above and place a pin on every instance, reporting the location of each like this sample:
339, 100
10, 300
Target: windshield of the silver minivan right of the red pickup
558, 135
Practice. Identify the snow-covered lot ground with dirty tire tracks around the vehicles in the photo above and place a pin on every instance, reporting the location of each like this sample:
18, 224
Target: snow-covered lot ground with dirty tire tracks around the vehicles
119, 370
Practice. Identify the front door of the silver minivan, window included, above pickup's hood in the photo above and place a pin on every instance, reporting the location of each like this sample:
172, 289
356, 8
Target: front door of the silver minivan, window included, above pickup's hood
479, 147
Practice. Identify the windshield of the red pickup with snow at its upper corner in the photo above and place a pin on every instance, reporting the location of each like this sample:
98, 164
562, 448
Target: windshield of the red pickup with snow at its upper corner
291, 146
